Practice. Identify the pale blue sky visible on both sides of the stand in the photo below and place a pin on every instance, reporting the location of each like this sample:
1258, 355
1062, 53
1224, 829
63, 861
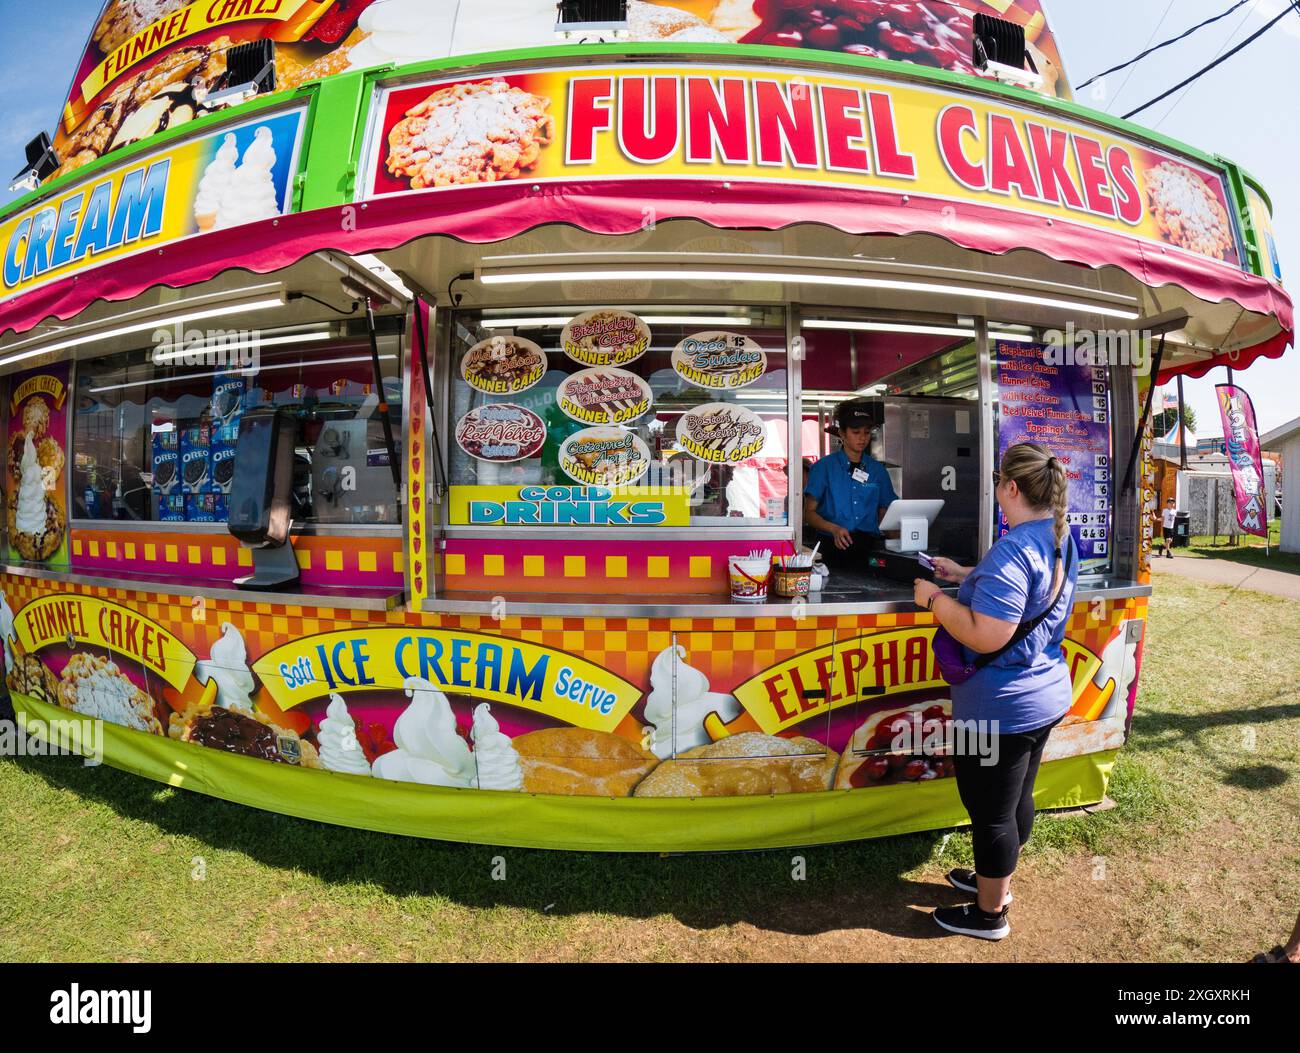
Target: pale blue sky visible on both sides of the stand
1247, 110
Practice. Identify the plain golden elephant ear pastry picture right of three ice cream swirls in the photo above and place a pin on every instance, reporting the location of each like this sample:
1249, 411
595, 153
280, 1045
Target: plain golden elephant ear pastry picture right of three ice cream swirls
577, 761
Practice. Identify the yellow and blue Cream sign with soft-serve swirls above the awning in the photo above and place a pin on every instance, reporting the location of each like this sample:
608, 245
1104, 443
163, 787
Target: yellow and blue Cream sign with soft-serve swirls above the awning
235, 176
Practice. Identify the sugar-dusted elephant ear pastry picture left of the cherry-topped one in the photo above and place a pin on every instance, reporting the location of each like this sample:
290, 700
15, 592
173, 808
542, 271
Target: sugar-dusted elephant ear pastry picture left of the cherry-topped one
744, 765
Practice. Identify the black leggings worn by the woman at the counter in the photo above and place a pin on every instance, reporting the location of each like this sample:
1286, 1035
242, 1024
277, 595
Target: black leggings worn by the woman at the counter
1000, 800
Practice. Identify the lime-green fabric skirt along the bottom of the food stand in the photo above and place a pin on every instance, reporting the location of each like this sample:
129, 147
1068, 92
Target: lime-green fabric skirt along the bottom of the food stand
553, 822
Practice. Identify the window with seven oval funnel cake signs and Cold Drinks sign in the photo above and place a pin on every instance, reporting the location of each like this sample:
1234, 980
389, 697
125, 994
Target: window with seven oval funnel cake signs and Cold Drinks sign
679, 415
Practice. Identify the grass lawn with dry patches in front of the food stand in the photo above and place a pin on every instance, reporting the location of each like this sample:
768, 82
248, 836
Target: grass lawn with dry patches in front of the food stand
1199, 860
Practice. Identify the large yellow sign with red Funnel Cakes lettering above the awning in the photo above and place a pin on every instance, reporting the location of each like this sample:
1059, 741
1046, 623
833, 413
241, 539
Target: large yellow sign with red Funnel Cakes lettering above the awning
808, 128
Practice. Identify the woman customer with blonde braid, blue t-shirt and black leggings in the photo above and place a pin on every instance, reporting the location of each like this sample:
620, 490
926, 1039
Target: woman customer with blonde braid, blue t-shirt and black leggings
1009, 618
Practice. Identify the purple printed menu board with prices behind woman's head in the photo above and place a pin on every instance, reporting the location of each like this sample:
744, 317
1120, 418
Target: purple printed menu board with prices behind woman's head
1050, 396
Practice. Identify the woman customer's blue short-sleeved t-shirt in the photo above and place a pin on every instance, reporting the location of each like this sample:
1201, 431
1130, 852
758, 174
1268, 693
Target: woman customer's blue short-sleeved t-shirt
1028, 687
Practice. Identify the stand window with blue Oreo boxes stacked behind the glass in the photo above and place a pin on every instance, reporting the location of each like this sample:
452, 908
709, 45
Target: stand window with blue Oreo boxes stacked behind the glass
155, 430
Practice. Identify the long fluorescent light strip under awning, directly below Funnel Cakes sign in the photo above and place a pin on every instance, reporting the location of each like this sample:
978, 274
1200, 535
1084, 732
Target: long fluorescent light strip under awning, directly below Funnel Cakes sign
799, 279
